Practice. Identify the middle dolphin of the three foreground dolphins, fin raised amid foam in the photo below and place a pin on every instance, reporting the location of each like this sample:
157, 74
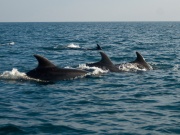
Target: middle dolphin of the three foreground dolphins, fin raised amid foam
105, 64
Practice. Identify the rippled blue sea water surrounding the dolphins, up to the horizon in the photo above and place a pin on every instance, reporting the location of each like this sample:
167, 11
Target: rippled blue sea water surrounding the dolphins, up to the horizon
128, 103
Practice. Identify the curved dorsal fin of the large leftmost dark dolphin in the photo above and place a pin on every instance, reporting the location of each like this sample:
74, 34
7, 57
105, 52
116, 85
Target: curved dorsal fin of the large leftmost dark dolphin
43, 62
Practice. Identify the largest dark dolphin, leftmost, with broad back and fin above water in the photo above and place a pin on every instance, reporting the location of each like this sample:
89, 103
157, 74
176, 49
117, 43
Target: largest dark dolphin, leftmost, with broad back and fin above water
47, 71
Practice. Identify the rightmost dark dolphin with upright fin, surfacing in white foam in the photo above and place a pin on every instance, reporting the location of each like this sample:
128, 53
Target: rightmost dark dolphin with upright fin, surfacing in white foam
139, 62
